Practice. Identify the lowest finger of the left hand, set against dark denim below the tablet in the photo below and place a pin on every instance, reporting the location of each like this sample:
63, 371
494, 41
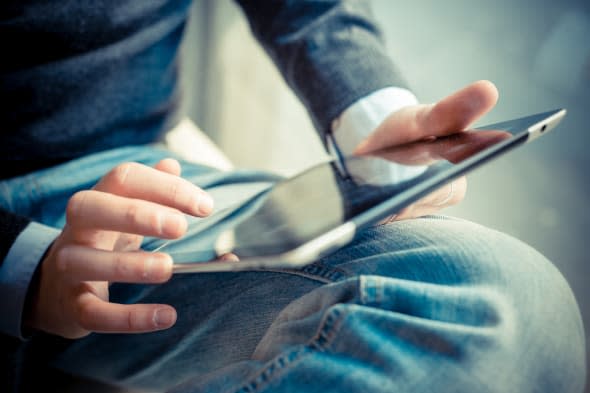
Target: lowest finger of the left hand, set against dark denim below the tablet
97, 315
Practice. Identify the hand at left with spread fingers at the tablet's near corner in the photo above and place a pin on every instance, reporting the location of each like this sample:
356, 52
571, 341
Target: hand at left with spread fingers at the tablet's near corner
100, 244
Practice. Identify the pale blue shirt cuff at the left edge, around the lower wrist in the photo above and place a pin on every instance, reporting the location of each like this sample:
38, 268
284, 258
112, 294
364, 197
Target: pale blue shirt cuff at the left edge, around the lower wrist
17, 271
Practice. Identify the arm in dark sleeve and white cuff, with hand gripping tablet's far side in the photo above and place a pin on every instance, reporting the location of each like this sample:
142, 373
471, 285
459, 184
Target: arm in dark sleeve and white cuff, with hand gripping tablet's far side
332, 55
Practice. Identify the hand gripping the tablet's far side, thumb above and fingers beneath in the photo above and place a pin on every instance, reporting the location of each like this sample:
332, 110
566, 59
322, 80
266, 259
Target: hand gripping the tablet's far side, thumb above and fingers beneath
448, 116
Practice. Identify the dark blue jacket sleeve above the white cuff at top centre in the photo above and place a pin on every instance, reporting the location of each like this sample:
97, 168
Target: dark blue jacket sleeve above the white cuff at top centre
330, 52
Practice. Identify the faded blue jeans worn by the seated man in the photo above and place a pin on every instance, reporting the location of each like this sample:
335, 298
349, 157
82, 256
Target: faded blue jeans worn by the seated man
431, 304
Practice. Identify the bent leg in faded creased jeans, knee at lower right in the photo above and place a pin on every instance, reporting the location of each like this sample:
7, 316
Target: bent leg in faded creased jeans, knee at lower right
430, 305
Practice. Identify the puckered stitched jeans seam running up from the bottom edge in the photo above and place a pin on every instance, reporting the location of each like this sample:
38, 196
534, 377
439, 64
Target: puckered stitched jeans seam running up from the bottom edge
328, 329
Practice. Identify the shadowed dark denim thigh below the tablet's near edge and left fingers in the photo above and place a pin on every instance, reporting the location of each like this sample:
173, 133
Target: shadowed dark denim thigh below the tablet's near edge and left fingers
221, 319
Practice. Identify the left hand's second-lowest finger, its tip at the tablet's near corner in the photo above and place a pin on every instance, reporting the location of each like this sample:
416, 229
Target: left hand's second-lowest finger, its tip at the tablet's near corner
80, 263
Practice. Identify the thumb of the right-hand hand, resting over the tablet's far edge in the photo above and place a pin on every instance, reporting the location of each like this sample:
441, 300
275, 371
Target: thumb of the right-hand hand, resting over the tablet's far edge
452, 114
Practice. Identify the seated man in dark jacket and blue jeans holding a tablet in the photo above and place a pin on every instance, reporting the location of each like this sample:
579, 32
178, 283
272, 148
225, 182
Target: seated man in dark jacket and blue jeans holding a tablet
418, 305
